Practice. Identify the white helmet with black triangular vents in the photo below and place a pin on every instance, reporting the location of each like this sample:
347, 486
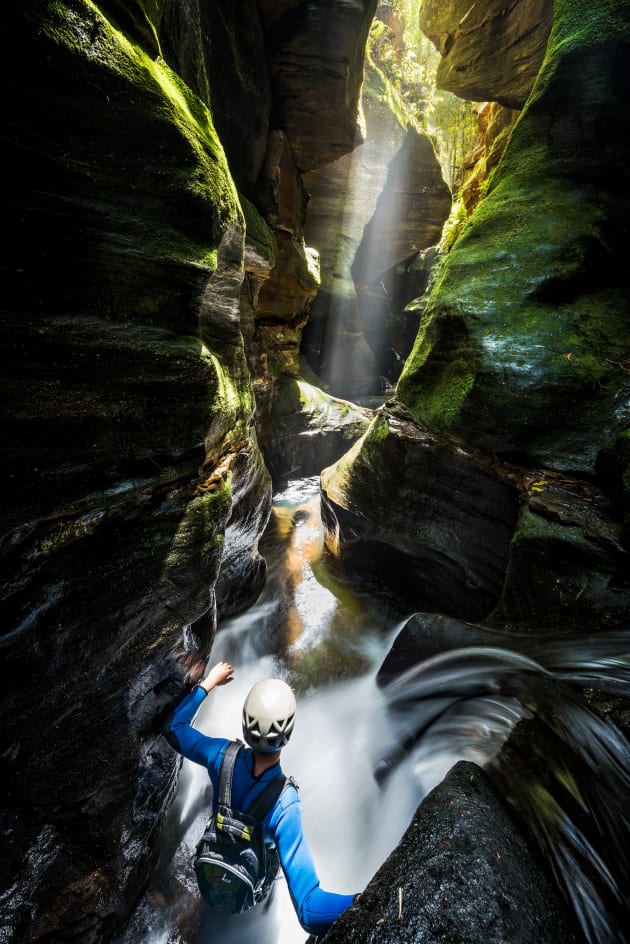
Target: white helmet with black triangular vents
268, 715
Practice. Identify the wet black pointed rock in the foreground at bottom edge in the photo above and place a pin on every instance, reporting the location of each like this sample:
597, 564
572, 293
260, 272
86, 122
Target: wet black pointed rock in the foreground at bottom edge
463, 872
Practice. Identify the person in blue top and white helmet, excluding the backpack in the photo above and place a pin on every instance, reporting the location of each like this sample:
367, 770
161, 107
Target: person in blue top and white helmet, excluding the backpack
268, 720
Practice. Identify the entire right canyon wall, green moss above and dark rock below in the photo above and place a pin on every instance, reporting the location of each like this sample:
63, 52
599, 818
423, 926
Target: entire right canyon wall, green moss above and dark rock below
518, 381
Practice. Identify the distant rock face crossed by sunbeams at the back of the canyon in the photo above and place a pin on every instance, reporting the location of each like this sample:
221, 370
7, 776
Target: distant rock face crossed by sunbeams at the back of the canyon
368, 212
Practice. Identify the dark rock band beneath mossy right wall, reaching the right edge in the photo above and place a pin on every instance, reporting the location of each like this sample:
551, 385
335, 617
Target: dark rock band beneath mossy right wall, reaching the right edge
456, 531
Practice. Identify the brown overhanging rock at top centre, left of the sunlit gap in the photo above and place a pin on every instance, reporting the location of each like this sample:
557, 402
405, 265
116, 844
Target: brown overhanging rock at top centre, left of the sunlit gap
315, 54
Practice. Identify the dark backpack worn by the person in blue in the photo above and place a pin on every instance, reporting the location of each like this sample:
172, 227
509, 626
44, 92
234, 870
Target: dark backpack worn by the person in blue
234, 867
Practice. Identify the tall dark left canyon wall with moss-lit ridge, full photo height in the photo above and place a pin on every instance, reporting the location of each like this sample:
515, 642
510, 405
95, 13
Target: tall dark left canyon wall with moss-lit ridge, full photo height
136, 484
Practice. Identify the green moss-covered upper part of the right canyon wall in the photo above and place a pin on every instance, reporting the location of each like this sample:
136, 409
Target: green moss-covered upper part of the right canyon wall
524, 338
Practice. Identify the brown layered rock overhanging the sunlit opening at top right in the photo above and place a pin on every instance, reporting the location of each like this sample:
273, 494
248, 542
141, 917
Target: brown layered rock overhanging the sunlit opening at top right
491, 51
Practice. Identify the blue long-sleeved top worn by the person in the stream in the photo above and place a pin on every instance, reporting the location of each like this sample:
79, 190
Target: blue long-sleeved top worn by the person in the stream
316, 909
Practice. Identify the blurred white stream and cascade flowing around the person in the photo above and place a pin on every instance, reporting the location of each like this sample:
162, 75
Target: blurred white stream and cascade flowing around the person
364, 756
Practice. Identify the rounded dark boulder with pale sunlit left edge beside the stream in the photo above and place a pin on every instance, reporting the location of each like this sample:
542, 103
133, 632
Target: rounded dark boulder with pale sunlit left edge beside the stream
429, 517
